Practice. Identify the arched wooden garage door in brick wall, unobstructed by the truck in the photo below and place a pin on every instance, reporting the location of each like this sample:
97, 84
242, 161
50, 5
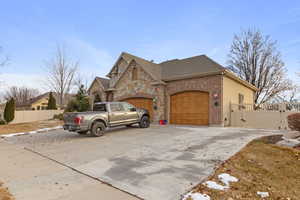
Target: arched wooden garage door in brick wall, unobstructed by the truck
190, 108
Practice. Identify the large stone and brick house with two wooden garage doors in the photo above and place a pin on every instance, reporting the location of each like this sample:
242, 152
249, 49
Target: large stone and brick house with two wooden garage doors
195, 90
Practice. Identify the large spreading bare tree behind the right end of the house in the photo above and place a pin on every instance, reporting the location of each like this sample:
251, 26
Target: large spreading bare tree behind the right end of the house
254, 58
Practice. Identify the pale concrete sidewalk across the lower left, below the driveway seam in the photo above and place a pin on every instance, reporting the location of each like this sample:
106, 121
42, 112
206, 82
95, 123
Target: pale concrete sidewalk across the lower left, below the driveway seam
30, 176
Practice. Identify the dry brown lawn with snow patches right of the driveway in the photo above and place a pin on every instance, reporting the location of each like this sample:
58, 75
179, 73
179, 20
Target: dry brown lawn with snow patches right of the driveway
260, 166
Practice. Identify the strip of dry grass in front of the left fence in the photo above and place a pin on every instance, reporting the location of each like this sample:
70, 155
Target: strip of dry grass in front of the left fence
29, 126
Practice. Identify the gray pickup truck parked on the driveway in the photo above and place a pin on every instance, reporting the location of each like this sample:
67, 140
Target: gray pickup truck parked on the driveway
105, 115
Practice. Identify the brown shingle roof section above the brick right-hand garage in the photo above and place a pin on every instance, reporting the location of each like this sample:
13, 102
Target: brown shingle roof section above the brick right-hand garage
189, 66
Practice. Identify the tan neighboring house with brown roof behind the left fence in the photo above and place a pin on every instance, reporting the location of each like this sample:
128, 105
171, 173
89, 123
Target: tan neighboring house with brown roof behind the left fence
41, 102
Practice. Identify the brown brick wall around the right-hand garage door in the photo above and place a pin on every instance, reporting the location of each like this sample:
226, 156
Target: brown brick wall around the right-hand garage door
210, 84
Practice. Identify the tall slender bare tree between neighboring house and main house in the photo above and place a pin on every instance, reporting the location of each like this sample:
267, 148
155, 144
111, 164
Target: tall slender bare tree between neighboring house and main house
61, 71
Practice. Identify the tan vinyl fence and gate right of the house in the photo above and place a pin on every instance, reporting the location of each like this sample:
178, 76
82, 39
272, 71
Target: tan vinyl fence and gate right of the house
267, 116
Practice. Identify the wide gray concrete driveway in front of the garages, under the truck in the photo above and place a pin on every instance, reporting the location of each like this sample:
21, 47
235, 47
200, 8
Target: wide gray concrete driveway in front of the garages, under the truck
161, 162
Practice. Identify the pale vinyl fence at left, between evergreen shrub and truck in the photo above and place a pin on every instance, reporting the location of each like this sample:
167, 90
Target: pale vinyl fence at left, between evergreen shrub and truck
34, 115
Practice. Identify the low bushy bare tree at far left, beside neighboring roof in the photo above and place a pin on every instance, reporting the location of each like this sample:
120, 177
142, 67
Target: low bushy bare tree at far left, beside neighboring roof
21, 95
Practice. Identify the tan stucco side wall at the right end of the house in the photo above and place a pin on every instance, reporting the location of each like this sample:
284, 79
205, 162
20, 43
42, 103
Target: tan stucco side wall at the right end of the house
231, 91
